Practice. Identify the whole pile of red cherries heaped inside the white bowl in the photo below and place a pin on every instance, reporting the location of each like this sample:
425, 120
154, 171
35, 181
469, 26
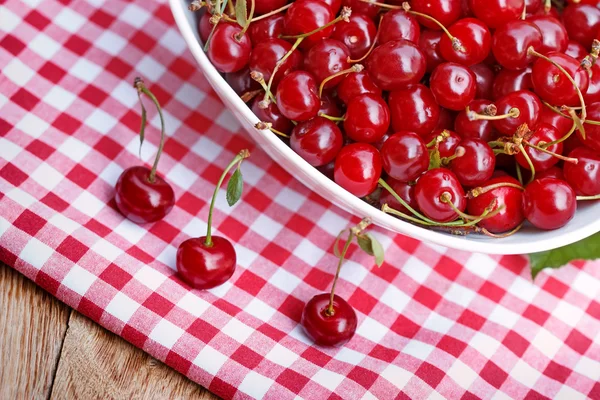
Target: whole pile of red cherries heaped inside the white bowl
462, 115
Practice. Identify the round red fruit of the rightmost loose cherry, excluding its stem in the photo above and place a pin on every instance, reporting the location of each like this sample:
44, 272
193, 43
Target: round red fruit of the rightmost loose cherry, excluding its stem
325, 329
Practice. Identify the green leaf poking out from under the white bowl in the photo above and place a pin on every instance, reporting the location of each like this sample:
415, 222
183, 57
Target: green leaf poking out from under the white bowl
586, 249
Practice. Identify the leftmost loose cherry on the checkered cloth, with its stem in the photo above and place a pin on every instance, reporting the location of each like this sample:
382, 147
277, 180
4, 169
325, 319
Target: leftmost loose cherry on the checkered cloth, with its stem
140, 194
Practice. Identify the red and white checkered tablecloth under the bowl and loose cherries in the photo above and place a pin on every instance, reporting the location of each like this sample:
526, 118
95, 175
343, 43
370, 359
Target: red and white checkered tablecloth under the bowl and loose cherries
433, 322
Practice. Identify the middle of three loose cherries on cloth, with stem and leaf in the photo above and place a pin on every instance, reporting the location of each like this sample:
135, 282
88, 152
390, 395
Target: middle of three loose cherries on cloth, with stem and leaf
209, 261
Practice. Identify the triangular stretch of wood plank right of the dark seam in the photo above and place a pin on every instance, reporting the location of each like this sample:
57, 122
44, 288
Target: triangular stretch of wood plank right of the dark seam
97, 364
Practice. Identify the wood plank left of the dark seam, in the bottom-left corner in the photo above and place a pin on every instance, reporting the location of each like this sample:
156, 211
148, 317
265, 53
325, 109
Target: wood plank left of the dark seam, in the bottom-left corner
32, 330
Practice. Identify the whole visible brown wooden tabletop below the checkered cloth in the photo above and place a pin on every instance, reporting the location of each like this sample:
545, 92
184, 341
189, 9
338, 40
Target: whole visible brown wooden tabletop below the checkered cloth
48, 351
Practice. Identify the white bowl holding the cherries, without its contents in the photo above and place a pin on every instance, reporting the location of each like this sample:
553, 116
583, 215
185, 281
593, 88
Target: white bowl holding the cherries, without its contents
528, 240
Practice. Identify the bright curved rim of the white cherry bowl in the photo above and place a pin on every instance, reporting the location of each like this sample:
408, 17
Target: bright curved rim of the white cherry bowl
469, 244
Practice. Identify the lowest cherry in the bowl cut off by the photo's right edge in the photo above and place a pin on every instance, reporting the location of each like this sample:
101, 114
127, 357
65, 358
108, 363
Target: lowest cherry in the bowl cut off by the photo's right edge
584, 176
